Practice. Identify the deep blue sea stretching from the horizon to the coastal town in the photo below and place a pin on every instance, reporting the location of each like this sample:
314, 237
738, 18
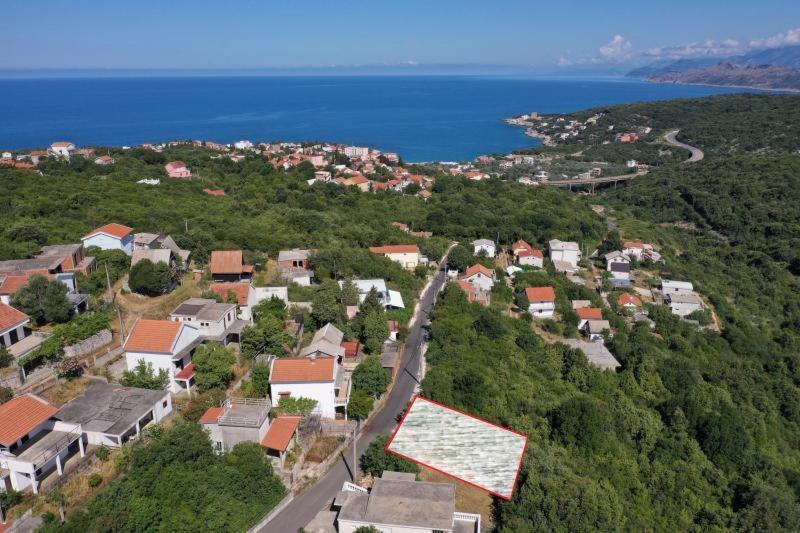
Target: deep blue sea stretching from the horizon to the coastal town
423, 118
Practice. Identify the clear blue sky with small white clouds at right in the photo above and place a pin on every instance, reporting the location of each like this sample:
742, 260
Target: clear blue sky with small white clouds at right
561, 35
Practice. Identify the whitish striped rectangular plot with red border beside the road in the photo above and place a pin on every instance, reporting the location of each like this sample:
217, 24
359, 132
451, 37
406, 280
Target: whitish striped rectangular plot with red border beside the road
472, 450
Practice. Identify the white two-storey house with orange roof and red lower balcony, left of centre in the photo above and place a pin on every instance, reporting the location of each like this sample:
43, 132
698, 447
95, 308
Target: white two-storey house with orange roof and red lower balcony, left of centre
167, 345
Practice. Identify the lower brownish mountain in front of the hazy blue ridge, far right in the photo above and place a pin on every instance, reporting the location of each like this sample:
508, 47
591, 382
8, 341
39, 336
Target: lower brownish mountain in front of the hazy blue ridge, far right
730, 75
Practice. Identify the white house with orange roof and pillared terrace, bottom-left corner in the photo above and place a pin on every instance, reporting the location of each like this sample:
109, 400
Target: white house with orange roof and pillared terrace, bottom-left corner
33, 443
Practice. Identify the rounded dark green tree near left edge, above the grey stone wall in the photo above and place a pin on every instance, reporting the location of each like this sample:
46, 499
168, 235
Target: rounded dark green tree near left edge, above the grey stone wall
43, 300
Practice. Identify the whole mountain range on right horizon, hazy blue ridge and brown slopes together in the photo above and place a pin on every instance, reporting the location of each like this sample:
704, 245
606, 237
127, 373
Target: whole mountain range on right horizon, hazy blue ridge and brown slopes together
773, 68
